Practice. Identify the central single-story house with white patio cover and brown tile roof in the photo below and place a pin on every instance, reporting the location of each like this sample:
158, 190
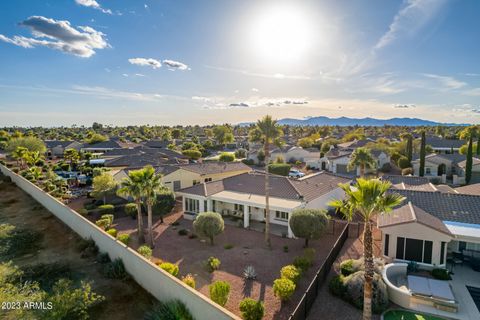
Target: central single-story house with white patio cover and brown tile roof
243, 196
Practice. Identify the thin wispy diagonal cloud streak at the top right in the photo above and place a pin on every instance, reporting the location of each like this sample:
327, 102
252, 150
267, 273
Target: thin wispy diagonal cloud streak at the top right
414, 15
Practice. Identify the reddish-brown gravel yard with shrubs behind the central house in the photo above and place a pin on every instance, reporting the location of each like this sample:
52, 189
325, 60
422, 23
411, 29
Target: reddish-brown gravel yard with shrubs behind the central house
236, 248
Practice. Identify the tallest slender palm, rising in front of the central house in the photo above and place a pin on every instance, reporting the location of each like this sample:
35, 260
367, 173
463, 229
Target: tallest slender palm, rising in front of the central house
267, 132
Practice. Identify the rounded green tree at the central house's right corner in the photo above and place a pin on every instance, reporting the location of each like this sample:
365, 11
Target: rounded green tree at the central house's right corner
308, 223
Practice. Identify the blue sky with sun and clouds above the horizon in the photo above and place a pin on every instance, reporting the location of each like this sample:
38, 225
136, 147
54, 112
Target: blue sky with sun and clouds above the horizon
167, 62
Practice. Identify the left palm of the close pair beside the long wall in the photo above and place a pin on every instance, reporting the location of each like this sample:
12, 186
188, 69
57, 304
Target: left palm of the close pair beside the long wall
133, 187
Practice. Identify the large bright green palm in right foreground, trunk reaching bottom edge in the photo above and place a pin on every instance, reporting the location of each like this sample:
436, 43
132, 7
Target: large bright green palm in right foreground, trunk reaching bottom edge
367, 199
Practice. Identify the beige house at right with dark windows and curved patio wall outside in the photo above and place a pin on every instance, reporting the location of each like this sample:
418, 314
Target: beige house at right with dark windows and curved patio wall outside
429, 225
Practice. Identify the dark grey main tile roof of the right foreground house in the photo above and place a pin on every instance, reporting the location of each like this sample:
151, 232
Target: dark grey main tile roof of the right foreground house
446, 206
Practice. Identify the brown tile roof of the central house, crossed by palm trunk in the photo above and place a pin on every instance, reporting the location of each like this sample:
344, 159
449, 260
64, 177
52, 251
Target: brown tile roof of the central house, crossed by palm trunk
280, 187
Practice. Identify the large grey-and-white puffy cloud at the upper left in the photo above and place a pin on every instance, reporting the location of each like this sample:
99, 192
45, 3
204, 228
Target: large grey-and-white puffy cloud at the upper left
59, 35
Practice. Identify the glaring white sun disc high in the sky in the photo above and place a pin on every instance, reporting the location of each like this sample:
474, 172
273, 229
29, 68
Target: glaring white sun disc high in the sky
281, 34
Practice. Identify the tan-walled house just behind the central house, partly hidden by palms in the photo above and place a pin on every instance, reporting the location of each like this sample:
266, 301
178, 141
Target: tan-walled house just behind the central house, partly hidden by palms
179, 176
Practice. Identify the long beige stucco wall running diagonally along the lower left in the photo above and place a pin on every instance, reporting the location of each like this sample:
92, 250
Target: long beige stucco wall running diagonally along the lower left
159, 283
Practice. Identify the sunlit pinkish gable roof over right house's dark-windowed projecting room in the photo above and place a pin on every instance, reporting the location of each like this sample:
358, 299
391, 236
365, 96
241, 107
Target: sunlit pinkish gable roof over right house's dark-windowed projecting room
409, 213
